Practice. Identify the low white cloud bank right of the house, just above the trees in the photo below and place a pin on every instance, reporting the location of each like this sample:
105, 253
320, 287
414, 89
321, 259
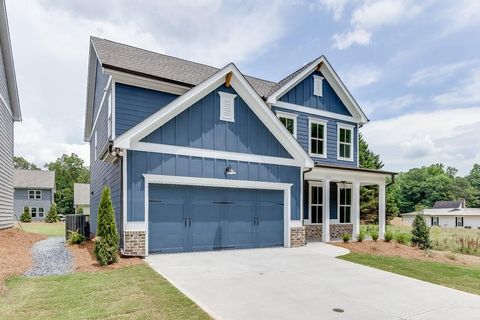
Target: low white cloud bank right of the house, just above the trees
446, 136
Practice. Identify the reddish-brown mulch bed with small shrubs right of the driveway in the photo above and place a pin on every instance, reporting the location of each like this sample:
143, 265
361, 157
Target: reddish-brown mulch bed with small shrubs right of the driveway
383, 248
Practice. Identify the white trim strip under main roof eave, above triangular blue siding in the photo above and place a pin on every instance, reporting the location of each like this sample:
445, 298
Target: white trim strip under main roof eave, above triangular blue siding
143, 82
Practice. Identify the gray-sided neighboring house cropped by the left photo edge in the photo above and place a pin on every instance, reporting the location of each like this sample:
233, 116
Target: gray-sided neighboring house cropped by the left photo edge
9, 112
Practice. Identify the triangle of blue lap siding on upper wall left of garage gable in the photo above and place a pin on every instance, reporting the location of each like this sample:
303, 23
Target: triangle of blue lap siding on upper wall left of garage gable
134, 104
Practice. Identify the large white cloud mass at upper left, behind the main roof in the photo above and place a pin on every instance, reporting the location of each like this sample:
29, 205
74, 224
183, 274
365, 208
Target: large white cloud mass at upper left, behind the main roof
50, 42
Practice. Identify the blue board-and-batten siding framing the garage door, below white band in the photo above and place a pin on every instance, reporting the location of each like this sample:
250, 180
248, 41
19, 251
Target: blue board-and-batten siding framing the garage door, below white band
139, 163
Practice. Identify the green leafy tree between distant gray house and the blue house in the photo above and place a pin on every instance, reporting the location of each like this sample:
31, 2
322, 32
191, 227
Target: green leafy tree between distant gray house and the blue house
69, 169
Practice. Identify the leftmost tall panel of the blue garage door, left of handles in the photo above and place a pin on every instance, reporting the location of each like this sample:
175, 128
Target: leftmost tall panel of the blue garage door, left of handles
166, 226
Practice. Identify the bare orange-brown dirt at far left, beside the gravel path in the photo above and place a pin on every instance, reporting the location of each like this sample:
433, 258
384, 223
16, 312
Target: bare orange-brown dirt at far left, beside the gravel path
15, 252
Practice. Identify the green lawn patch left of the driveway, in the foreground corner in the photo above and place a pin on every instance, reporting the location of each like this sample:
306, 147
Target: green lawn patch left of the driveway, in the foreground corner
135, 292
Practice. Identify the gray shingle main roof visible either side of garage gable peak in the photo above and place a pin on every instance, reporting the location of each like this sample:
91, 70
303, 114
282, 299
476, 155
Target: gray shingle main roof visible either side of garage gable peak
120, 56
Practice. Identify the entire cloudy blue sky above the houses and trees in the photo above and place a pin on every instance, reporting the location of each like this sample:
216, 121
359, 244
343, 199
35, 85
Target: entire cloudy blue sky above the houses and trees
413, 66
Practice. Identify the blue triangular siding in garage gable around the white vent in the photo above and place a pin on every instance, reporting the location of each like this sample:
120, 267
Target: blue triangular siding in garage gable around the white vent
200, 127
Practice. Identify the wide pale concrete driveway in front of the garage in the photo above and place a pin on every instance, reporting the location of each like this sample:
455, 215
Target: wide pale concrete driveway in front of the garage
306, 283
